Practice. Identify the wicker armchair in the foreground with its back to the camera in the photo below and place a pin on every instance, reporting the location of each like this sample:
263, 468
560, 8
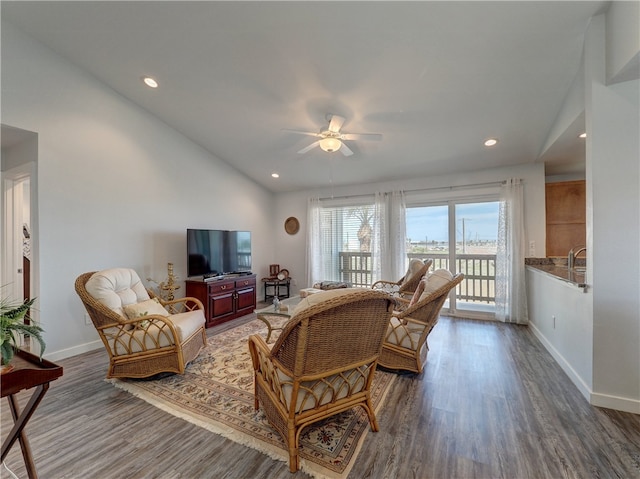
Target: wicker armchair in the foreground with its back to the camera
323, 362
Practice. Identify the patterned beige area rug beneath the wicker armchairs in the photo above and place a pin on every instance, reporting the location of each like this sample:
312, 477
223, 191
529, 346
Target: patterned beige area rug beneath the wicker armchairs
216, 393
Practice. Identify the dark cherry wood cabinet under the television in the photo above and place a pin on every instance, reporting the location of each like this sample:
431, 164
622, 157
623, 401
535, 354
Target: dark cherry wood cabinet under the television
224, 299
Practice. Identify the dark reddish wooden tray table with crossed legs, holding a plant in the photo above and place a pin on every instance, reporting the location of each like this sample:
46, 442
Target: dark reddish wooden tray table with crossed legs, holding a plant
28, 372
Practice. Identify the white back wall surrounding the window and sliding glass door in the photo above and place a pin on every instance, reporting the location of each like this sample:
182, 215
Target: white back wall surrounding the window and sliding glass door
290, 251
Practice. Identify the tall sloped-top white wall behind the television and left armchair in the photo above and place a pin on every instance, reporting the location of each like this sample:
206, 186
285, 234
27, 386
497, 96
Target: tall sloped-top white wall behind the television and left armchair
116, 186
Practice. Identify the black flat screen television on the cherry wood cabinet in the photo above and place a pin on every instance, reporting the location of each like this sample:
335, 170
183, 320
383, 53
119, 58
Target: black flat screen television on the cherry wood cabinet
213, 252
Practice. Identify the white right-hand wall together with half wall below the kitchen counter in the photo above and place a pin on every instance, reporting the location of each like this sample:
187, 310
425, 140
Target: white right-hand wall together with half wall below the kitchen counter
597, 339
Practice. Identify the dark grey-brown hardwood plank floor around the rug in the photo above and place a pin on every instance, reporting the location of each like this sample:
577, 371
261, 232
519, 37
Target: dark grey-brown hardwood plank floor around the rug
491, 403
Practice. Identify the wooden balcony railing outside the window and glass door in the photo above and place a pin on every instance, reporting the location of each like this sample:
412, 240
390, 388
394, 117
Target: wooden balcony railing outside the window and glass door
479, 285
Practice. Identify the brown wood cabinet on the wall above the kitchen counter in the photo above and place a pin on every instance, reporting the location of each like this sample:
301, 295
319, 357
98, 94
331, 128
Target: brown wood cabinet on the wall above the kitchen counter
566, 206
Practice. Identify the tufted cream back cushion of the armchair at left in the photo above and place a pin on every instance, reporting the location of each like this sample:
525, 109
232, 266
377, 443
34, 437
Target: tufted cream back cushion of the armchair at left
116, 288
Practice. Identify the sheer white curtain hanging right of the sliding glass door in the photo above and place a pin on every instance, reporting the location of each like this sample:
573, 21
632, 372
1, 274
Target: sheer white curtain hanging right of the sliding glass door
511, 299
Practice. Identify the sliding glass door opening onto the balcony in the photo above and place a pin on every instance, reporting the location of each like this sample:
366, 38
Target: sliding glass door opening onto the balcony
461, 237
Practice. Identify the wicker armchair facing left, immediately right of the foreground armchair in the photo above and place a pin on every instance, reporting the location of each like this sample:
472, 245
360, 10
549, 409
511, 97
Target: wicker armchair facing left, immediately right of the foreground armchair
405, 345
